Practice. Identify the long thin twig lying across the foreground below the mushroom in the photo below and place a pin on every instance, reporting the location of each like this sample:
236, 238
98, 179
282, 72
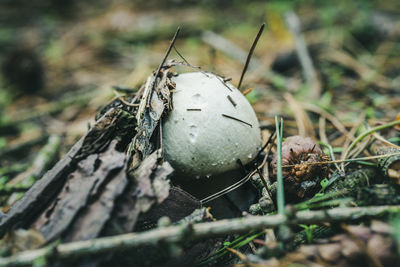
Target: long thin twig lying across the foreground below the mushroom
173, 234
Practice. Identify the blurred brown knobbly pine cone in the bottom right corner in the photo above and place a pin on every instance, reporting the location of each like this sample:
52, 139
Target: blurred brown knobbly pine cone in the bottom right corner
351, 250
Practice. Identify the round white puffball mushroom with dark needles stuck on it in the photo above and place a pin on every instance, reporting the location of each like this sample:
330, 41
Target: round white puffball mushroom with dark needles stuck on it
211, 126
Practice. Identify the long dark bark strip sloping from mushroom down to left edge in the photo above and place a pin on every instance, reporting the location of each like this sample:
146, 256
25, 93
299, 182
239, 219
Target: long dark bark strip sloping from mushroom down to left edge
40, 195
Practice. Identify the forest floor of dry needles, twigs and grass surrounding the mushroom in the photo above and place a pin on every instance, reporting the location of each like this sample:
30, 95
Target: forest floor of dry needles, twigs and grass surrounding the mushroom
329, 69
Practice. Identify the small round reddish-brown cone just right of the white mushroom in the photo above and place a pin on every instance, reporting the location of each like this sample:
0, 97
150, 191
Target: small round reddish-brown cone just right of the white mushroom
303, 178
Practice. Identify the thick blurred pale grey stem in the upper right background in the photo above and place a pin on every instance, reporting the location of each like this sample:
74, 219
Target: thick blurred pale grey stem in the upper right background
309, 73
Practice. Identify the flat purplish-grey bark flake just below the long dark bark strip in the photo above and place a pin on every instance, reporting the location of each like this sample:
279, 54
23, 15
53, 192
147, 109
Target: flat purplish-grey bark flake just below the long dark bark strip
82, 186
